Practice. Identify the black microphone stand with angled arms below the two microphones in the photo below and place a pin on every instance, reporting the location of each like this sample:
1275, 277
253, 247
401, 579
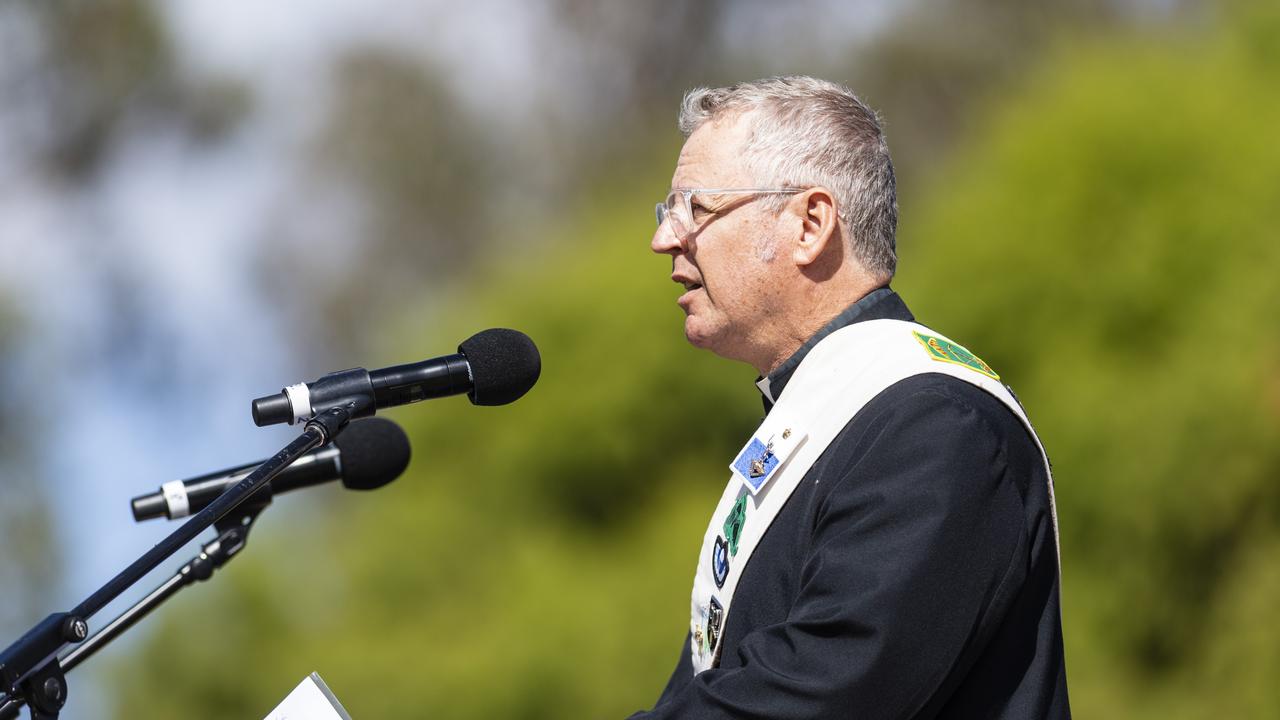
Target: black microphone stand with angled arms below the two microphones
31, 671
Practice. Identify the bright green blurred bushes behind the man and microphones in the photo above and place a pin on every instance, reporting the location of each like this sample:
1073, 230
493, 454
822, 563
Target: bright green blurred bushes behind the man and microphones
1105, 236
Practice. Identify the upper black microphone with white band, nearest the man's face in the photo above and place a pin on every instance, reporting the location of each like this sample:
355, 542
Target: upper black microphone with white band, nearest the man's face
493, 367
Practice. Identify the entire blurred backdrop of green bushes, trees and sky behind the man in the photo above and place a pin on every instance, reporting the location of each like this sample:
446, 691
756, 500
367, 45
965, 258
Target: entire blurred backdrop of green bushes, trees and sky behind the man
204, 202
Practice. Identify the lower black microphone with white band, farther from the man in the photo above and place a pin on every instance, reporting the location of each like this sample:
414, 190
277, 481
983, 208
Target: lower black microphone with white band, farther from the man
368, 455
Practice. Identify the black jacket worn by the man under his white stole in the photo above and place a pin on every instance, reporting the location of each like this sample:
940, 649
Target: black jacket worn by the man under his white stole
913, 573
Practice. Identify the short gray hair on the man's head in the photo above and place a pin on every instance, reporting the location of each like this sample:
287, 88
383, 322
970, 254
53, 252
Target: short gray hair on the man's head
807, 133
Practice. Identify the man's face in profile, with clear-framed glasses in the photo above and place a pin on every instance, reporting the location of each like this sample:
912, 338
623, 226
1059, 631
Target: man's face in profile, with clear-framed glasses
728, 265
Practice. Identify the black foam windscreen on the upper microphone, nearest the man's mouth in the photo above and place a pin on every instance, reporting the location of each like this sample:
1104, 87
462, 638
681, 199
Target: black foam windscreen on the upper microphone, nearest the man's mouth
505, 364
